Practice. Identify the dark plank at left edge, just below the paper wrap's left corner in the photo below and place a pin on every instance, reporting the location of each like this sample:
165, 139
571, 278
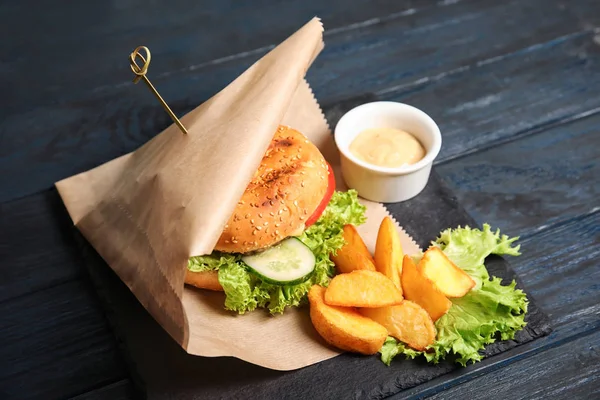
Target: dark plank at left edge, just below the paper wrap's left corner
36, 247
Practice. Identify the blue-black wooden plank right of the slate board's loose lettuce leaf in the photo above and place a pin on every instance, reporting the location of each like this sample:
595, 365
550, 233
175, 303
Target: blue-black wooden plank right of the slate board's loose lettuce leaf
559, 268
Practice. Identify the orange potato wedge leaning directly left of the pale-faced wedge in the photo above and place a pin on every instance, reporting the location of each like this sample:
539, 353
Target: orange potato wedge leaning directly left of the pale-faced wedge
419, 289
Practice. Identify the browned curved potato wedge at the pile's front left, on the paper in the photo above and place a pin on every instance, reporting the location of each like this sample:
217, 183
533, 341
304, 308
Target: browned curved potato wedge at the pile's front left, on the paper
343, 327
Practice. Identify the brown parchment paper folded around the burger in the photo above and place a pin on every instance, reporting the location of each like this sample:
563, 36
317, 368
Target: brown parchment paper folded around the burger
148, 211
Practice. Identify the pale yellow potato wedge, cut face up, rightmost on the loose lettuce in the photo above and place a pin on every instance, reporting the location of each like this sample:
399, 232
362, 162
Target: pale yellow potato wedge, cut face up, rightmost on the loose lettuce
447, 277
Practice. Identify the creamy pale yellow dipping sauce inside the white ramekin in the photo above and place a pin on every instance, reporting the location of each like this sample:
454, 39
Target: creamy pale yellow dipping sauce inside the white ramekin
387, 147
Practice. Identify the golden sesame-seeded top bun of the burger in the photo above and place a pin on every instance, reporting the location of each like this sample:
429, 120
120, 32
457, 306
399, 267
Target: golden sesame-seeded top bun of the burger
286, 189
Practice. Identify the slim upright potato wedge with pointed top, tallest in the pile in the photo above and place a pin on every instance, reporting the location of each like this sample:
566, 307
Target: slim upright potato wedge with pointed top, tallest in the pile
388, 251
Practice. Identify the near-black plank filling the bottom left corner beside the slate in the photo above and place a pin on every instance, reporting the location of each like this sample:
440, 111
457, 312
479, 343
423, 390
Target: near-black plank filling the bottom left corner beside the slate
56, 343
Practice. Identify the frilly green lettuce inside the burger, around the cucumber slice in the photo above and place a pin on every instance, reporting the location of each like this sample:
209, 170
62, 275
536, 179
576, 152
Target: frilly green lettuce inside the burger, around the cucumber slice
244, 291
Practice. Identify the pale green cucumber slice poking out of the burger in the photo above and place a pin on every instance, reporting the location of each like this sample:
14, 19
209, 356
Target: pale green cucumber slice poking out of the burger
288, 262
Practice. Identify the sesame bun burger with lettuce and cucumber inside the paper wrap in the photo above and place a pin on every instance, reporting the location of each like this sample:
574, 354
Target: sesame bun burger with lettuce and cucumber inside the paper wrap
279, 239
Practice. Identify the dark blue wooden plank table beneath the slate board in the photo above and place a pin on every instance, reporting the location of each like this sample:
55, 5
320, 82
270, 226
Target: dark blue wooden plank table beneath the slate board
514, 86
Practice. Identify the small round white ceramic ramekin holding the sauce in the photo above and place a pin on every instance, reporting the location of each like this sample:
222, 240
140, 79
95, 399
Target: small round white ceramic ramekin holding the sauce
383, 184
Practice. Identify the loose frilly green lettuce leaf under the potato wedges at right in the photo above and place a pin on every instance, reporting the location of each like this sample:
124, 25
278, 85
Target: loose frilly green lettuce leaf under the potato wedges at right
487, 312
